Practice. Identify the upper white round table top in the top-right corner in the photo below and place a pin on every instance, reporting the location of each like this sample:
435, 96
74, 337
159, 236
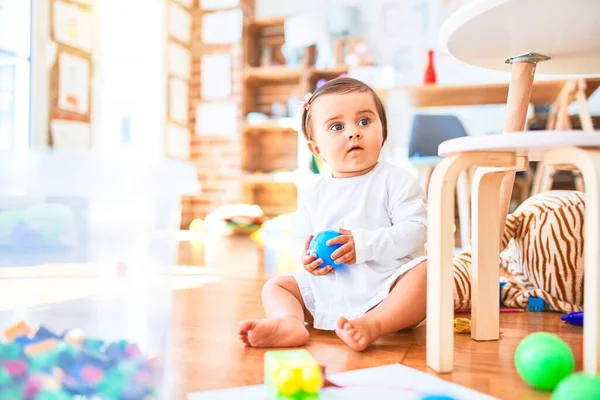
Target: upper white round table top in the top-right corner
486, 32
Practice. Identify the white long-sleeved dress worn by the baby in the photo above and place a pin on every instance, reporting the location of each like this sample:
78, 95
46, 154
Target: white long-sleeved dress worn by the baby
386, 211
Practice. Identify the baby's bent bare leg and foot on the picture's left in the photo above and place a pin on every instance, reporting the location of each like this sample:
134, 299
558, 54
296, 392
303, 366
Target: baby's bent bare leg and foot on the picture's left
284, 325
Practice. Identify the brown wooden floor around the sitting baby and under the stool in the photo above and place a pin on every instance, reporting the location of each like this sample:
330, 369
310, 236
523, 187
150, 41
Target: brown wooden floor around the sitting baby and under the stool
209, 356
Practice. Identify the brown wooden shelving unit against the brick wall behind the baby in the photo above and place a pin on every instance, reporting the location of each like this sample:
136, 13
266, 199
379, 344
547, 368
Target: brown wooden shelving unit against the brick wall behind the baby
274, 145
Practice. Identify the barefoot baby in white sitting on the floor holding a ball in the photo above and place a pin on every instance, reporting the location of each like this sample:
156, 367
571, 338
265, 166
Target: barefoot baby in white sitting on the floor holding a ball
379, 283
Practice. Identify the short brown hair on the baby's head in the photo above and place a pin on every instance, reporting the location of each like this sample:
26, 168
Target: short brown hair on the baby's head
342, 86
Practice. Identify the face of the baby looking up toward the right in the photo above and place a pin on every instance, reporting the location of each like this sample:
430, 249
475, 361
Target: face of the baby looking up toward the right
346, 132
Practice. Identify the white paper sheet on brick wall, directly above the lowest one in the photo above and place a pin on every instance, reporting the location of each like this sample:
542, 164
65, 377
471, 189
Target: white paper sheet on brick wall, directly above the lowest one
216, 76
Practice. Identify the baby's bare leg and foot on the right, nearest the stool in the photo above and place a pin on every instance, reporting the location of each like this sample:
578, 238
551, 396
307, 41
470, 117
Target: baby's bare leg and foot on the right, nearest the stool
405, 307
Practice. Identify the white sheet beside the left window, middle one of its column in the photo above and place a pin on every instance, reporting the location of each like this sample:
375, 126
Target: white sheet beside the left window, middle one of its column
73, 83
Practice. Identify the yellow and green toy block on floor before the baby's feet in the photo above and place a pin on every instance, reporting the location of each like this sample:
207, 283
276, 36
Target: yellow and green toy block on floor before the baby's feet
292, 374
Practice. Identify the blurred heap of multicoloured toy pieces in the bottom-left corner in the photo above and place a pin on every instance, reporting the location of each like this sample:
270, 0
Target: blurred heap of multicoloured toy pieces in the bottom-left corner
40, 364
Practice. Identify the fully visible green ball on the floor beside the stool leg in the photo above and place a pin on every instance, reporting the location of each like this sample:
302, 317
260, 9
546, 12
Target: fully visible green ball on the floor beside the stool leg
543, 360
